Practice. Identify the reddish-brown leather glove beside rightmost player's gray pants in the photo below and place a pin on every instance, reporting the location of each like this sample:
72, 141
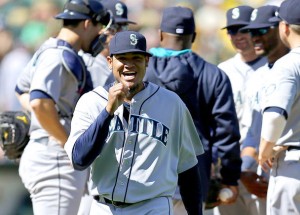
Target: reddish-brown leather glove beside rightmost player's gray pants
255, 184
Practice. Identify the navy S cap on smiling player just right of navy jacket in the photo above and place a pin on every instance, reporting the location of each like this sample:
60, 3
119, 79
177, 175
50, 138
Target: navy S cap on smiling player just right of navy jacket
238, 16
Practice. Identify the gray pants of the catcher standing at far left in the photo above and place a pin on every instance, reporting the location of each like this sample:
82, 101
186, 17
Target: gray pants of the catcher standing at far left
54, 186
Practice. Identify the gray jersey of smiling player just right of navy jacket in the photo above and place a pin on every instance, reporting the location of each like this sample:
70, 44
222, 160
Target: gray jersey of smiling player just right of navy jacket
239, 73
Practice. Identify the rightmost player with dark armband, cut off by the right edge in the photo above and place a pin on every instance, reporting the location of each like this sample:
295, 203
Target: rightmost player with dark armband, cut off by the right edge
280, 147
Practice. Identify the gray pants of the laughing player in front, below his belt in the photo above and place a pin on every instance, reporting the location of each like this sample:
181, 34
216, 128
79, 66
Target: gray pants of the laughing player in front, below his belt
156, 206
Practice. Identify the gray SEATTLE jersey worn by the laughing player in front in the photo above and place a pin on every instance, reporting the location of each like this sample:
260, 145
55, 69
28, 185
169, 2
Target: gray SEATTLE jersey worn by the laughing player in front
141, 159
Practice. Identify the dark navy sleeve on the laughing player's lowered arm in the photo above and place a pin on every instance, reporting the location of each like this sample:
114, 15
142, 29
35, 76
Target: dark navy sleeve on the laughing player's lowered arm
189, 183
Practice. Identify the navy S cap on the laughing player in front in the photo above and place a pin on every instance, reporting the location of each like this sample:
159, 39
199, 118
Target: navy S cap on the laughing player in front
128, 41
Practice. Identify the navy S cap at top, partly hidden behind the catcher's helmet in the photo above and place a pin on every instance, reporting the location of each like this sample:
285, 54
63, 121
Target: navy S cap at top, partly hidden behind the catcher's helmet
119, 10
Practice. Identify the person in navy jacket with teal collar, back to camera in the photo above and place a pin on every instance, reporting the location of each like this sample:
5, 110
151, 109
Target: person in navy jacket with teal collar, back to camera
206, 91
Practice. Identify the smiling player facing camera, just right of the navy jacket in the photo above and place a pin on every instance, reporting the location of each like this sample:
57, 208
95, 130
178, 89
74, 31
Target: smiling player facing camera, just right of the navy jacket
242, 66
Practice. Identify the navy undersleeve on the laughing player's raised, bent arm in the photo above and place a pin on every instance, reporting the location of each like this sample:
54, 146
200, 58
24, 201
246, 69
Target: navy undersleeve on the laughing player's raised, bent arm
89, 144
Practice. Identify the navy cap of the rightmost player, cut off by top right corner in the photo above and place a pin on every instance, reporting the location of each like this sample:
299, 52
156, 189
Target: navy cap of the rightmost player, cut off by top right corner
289, 12
